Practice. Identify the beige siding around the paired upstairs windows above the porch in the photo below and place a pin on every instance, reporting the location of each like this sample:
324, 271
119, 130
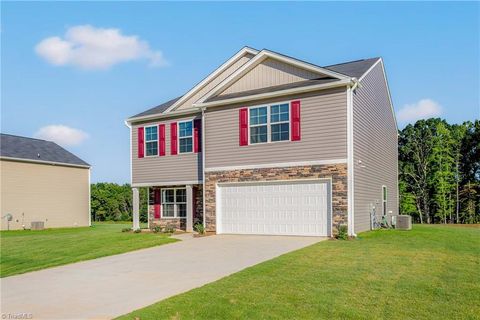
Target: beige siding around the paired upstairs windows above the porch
156, 170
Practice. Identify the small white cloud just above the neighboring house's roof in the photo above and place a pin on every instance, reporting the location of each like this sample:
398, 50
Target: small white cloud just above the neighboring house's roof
62, 135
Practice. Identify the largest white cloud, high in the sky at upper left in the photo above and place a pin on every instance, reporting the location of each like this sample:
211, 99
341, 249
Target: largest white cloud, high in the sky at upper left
88, 47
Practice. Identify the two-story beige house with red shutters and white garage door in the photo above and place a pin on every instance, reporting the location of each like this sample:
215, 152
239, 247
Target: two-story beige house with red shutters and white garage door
269, 144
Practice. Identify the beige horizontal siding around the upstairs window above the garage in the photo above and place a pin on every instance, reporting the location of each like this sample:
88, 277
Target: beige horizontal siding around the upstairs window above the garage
323, 127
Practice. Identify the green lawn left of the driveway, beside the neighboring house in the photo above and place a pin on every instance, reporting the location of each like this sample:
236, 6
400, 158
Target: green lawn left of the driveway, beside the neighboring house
23, 250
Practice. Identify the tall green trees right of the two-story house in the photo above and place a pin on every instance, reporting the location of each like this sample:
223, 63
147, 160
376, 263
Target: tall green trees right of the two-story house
439, 171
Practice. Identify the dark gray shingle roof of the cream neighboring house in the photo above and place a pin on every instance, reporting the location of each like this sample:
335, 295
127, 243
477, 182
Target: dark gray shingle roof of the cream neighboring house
37, 150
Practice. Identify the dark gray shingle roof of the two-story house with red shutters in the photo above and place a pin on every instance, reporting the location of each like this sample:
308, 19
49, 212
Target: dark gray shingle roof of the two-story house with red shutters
352, 69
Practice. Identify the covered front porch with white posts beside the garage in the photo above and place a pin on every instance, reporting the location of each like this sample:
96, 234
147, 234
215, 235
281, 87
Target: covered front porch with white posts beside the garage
177, 207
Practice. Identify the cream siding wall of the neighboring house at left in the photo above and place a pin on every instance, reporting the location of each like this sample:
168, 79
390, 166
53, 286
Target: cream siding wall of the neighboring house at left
57, 195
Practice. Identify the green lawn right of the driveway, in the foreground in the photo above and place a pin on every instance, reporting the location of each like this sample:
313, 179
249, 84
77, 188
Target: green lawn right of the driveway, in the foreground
431, 272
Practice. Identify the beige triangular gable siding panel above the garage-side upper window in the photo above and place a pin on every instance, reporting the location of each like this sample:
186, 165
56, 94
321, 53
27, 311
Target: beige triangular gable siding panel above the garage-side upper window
269, 73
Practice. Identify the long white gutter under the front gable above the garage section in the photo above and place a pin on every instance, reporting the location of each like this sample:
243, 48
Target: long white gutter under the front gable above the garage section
273, 94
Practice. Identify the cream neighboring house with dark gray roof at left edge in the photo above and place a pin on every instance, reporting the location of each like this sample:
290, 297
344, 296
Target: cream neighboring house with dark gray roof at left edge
41, 181
